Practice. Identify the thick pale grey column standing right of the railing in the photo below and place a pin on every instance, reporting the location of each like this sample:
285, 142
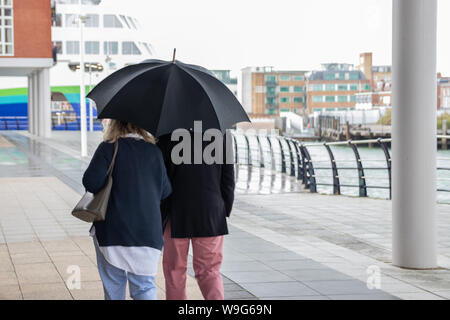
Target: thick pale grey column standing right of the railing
414, 133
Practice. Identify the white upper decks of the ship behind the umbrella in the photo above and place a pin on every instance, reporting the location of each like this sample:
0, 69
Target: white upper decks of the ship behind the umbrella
112, 39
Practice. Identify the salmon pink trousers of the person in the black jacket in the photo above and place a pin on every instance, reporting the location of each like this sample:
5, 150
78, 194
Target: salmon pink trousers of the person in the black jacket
207, 258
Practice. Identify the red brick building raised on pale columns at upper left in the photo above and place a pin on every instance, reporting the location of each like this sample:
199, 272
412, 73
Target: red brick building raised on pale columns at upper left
26, 51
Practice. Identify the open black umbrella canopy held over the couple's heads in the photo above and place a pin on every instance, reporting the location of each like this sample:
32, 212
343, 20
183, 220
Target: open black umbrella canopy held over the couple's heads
161, 96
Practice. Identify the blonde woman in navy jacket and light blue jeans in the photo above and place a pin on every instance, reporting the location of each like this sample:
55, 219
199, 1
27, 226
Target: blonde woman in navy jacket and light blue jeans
129, 241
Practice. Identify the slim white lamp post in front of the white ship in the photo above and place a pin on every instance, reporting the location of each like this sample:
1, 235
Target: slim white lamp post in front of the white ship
83, 125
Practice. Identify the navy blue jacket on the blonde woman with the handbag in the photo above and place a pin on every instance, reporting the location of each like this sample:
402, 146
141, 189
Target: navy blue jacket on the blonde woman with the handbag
140, 183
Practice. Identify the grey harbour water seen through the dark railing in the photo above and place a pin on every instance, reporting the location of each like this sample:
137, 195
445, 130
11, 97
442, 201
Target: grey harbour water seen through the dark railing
373, 160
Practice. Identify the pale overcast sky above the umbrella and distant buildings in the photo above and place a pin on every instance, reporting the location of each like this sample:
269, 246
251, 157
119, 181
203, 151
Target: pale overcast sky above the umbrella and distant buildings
285, 34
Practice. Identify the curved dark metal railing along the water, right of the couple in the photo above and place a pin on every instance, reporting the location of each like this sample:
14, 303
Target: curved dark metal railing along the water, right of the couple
292, 157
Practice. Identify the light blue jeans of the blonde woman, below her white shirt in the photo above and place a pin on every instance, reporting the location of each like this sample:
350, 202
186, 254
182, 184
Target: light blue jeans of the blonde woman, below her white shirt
115, 282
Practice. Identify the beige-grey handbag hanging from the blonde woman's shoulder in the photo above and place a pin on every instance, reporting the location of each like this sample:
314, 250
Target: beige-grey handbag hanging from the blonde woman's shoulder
92, 207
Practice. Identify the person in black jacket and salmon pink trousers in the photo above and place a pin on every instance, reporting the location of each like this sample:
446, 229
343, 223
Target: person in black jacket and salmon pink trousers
195, 213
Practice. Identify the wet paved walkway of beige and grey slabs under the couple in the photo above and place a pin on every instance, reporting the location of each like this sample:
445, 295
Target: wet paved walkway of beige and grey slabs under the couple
284, 243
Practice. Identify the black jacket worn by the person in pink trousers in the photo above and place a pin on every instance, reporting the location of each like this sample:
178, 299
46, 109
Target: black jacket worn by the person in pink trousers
202, 196
